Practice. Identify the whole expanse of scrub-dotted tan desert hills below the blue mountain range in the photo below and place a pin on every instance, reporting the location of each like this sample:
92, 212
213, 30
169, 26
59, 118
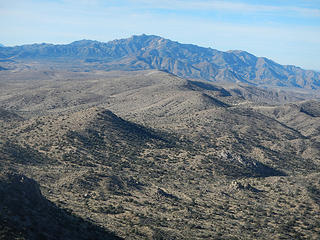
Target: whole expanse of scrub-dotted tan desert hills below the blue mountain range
150, 155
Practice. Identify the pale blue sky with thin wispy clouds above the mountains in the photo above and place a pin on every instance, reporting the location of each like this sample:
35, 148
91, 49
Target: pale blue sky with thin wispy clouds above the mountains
286, 31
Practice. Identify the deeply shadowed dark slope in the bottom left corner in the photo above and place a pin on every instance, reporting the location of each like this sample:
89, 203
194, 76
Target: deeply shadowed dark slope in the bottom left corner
26, 214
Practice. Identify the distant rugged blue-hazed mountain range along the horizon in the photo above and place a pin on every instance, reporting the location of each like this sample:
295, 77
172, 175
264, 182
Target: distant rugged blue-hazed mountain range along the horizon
184, 60
